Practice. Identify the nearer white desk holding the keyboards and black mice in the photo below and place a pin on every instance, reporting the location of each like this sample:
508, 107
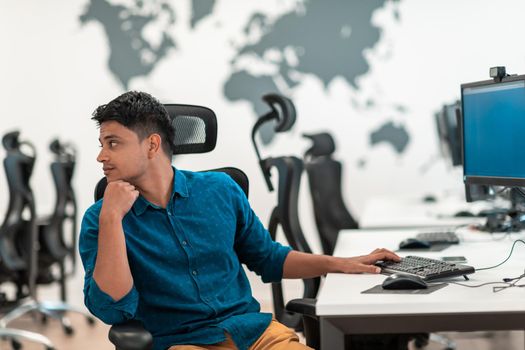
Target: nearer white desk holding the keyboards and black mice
344, 310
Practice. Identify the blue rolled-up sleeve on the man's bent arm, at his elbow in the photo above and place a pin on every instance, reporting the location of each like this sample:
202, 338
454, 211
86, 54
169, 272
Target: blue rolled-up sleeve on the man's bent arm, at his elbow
99, 303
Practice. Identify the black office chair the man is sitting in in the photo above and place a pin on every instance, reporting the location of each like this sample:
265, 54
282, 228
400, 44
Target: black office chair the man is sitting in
195, 132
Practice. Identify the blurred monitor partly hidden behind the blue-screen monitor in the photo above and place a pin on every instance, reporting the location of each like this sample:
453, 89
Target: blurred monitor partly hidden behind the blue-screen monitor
448, 132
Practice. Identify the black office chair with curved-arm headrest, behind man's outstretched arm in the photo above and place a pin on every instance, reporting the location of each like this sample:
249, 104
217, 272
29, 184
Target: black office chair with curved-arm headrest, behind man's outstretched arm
285, 213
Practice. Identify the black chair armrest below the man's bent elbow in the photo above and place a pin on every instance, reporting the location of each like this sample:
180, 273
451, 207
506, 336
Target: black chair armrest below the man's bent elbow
130, 336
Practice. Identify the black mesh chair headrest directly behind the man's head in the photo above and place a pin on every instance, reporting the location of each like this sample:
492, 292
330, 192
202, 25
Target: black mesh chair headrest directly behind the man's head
195, 128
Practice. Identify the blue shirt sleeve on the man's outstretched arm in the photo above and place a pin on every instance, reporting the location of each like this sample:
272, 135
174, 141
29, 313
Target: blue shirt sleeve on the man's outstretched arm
253, 243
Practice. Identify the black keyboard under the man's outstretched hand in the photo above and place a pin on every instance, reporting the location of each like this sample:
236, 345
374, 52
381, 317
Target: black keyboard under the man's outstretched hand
427, 269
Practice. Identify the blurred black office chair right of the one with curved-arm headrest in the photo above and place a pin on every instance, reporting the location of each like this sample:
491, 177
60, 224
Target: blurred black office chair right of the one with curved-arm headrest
324, 177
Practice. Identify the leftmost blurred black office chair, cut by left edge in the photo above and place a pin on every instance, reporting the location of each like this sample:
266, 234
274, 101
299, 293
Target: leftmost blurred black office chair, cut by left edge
18, 233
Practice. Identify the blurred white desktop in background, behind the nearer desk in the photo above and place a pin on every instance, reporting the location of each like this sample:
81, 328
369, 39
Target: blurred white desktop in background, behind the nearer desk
407, 212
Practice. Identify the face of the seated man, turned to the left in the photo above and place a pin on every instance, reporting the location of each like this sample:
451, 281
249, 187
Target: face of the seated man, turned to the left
123, 155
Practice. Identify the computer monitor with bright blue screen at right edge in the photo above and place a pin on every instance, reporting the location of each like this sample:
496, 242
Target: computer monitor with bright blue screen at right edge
493, 130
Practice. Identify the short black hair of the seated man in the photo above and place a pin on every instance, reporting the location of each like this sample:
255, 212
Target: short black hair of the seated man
140, 112
